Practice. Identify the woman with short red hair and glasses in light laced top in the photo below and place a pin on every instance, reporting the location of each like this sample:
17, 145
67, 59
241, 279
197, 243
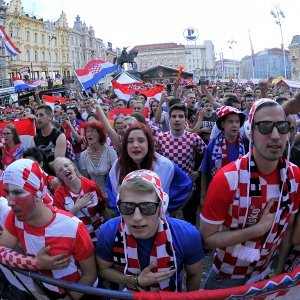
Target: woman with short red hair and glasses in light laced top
97, 160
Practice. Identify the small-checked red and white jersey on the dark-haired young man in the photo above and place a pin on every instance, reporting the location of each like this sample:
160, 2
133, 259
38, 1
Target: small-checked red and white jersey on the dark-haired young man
180, 149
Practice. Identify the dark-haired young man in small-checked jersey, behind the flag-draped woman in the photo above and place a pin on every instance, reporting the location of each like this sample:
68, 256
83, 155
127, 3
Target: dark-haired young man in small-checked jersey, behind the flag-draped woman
180, 146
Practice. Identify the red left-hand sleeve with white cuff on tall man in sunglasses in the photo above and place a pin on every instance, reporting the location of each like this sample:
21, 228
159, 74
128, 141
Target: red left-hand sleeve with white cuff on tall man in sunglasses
218, 198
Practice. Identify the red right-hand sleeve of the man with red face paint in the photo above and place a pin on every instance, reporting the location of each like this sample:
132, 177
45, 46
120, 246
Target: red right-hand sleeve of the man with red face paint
83, 245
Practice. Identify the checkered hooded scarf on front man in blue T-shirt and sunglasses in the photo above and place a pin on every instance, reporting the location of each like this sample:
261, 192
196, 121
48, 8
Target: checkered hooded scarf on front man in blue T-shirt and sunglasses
162, 253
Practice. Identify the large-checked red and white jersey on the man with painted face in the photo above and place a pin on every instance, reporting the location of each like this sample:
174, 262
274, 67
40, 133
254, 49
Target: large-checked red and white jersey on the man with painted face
64, 234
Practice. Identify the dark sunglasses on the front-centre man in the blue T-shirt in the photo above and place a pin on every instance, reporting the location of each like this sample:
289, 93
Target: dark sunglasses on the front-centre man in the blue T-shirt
146, 208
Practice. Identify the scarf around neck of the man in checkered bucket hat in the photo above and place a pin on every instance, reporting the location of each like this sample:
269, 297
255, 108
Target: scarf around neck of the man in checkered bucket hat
220, 152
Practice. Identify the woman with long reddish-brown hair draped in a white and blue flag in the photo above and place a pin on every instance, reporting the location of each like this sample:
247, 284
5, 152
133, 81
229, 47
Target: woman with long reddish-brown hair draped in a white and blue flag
137, 152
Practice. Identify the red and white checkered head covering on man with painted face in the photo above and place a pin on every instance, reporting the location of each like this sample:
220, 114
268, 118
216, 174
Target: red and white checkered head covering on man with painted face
28, 175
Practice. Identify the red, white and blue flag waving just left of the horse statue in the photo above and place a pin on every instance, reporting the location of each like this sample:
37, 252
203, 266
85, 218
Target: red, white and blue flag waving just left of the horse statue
94, 71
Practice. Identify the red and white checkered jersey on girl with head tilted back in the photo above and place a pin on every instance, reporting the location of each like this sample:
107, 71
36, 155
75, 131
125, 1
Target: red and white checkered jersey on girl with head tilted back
65, 199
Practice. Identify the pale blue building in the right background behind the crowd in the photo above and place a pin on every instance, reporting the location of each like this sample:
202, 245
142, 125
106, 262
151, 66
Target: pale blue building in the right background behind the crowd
268, 63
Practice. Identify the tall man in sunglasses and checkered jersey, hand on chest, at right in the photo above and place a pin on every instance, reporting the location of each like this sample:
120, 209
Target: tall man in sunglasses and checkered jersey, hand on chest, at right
249, 208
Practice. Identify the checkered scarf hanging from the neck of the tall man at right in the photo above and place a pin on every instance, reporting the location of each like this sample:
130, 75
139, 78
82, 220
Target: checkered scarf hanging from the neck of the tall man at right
250, 250
